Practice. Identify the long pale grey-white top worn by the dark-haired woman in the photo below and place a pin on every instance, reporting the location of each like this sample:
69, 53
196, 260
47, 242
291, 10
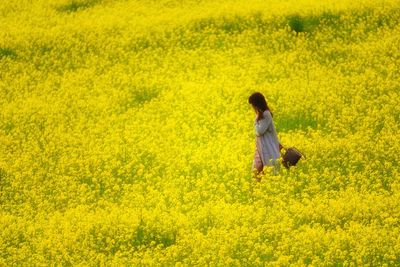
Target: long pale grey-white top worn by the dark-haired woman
267, 141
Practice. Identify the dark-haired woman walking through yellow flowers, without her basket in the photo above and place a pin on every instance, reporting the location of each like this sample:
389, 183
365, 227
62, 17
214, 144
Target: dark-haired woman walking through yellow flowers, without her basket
267, 143
